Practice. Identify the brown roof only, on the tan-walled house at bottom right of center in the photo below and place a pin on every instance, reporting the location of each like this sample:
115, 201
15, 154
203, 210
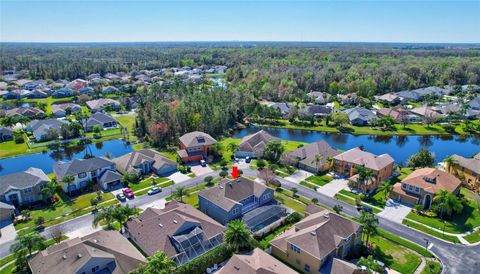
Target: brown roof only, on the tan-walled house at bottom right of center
318, 234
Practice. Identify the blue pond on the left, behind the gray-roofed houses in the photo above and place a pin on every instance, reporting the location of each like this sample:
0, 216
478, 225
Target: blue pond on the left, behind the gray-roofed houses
45, 161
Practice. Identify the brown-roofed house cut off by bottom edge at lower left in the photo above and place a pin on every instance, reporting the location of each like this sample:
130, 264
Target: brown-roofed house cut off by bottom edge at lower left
100, 252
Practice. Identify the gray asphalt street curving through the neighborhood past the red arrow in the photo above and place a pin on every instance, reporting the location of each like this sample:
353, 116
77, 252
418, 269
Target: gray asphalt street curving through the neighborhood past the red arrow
455, 258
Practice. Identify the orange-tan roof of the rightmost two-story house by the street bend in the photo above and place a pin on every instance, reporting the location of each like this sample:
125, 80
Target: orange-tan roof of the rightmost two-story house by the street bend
432, 180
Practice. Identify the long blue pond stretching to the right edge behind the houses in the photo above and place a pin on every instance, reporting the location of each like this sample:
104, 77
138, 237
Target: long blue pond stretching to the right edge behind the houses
399, 147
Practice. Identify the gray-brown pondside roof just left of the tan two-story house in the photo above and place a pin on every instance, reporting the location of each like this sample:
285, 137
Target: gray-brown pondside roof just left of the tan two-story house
307, 153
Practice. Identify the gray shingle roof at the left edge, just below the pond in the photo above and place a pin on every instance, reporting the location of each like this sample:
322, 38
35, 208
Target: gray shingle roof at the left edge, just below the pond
21, 180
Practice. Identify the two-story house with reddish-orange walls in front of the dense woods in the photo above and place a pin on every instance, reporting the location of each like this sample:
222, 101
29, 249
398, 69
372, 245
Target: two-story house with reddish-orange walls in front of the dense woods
195, 146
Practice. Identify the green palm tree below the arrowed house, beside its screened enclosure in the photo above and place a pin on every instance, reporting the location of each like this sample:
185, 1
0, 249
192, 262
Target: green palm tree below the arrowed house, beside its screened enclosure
237, 235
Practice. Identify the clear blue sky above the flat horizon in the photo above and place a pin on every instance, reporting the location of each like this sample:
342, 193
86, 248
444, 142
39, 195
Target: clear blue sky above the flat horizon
135, 20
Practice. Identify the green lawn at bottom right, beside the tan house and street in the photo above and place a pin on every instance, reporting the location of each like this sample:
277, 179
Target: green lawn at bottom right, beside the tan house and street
399, 259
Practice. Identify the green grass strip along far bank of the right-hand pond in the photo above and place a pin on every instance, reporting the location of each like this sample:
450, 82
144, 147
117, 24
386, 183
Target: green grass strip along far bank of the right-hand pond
412, 129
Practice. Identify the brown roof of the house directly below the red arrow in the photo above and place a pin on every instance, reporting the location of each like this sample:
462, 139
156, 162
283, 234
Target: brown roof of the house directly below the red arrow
228, 192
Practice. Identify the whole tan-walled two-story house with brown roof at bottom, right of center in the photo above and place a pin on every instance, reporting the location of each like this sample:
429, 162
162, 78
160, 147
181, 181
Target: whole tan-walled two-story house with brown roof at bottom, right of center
311, 244
